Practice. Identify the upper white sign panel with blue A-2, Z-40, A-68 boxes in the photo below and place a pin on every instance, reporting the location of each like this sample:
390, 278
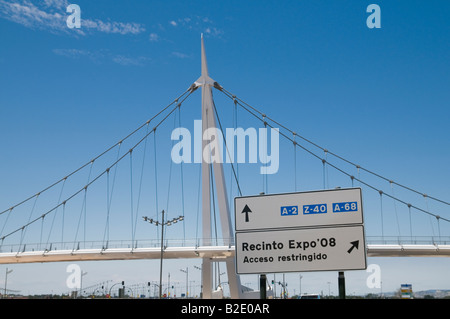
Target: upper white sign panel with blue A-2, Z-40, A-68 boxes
302, 209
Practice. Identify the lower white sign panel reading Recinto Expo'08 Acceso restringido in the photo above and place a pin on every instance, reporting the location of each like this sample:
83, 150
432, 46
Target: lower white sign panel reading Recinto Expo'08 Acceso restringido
302, 249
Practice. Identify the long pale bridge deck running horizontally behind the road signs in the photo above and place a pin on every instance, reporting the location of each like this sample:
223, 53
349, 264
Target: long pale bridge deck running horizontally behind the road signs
214, 252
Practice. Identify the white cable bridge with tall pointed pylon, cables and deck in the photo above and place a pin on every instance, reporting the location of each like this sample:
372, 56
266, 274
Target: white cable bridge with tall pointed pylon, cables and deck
95, 212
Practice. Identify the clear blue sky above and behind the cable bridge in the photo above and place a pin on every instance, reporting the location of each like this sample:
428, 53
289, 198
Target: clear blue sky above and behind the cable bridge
377, 97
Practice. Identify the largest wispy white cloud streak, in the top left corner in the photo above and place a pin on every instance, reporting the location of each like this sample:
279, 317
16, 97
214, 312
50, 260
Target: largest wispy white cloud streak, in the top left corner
51, 15
